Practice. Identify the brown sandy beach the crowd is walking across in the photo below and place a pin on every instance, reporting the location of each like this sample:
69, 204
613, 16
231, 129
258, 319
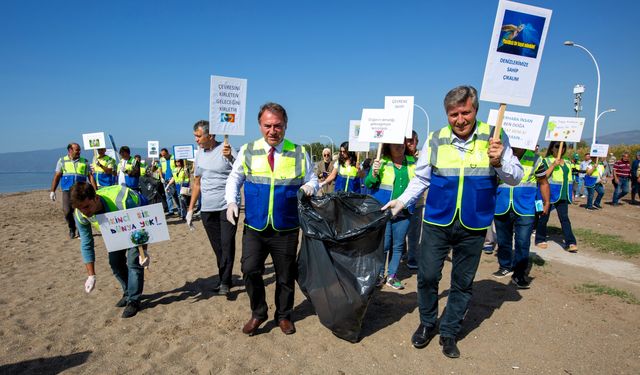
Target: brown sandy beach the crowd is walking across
50, 325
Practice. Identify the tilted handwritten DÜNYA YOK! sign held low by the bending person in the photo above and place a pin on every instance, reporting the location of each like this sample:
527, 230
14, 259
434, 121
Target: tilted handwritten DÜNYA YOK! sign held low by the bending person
135, 226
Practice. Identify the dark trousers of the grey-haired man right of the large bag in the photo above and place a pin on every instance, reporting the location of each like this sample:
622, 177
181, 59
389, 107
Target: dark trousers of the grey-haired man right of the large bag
467, 248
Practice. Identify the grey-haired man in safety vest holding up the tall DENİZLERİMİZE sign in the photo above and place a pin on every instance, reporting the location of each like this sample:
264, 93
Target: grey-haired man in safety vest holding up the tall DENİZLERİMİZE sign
458, 164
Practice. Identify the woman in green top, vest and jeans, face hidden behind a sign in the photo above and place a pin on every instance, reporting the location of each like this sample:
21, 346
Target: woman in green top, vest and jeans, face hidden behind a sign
387, 179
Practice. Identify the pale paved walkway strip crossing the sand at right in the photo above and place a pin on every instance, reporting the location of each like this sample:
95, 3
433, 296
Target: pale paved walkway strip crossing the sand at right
622, 270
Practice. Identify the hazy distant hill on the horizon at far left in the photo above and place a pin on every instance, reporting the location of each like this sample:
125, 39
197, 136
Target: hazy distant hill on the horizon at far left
42, 160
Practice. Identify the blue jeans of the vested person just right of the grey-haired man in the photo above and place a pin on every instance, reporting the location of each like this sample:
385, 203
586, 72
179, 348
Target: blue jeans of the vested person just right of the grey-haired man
507, 225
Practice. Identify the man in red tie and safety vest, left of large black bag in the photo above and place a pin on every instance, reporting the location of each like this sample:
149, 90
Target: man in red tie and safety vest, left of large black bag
272, 170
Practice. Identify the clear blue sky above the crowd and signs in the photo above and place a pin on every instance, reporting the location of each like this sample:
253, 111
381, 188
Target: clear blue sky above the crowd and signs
140, 69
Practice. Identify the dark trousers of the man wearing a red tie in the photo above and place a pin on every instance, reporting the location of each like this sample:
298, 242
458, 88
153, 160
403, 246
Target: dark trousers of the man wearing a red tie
282, 246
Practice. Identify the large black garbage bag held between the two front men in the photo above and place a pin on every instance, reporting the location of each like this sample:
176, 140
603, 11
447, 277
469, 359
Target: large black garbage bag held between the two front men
340, 256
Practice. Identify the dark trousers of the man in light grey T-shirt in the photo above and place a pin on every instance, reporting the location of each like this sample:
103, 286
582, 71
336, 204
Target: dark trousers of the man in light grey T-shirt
222, 236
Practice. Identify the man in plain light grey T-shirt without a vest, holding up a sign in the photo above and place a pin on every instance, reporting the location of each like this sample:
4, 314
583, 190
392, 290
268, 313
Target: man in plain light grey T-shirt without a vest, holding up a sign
213, 162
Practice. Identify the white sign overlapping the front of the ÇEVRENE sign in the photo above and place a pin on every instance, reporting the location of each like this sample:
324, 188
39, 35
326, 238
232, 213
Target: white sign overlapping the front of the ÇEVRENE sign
382, 126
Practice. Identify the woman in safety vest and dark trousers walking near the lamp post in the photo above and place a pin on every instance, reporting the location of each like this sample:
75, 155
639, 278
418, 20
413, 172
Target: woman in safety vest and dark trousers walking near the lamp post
560, 183
